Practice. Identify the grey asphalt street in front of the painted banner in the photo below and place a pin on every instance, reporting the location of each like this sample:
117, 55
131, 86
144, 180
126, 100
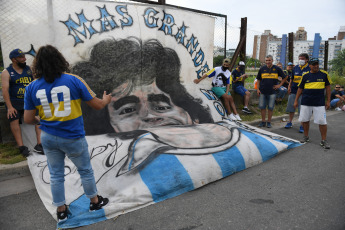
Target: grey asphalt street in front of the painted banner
302, 188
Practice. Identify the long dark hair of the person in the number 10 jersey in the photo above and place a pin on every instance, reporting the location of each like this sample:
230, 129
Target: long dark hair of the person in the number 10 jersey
49, 63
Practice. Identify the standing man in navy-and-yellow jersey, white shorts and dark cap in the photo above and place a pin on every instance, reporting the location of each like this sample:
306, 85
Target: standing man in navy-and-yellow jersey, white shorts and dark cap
313, 85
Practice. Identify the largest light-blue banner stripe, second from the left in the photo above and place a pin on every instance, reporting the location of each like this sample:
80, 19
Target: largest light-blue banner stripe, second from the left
166, 177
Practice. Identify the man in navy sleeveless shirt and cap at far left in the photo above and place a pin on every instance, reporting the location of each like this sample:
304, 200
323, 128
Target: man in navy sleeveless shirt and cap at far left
14, 80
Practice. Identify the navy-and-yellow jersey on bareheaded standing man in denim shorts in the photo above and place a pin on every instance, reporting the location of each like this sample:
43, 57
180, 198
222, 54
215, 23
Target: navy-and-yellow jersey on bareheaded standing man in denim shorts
268, 77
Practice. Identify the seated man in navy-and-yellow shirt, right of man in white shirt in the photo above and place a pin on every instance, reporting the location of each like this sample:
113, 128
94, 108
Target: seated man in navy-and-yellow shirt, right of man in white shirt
238, 78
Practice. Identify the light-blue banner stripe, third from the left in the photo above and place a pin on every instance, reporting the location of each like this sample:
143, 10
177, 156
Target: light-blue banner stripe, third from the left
230, 161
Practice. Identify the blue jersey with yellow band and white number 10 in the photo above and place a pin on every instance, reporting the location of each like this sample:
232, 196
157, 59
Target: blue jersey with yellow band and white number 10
59, 104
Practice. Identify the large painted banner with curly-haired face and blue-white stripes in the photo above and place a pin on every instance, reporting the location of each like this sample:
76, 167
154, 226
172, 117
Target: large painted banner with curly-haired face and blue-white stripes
161, 135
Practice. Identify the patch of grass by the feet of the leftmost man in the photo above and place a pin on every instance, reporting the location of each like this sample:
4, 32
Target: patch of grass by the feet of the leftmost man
9, 154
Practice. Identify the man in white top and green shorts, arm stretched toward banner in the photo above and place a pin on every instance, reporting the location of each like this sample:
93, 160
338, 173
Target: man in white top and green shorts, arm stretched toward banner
220, 86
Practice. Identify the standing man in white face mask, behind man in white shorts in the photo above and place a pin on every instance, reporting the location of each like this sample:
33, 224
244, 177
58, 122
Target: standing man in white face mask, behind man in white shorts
296, 77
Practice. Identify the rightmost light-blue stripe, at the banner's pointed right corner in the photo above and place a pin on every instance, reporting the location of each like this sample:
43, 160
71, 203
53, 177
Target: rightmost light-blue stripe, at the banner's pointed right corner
266, 148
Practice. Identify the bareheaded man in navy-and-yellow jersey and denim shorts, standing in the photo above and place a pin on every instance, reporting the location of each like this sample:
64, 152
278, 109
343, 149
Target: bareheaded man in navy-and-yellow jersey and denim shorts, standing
267, 81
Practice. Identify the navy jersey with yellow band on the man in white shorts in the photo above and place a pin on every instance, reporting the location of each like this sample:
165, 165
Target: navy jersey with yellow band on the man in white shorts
313, 85
